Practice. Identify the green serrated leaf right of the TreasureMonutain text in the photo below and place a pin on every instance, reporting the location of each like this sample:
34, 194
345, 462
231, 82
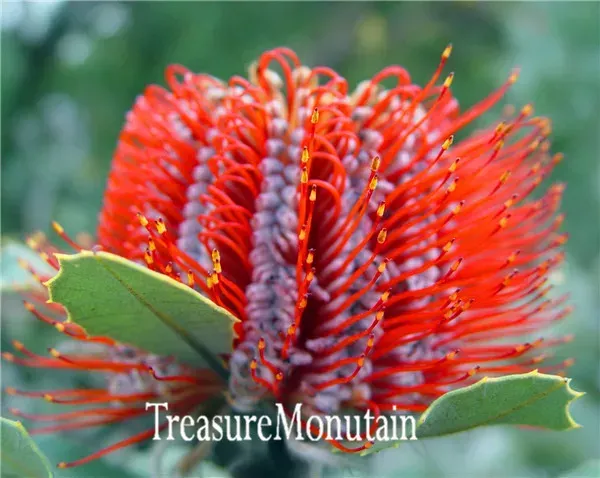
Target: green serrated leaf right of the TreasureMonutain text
532, 399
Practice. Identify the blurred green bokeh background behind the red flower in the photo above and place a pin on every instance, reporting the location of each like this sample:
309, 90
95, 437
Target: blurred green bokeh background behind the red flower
70, 71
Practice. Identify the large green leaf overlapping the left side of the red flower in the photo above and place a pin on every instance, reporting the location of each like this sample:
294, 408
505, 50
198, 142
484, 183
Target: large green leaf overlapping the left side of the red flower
111, 296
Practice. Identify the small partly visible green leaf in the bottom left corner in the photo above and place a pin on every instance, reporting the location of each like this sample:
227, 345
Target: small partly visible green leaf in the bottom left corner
20, 456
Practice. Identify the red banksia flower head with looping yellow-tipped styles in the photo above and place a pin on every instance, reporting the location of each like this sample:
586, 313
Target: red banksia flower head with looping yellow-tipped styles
373, 261
